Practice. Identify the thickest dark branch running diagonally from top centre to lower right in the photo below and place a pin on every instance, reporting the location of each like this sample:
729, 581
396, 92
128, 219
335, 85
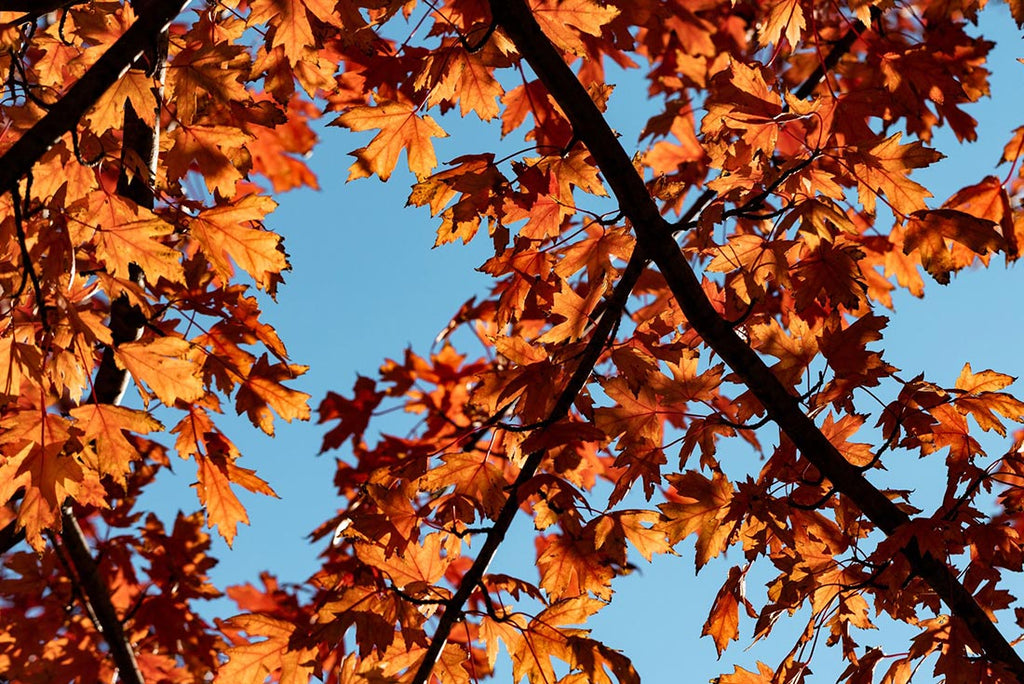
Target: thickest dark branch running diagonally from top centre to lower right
654, 235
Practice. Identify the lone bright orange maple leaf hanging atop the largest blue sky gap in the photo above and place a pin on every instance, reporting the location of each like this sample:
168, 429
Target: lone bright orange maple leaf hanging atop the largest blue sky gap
401, 129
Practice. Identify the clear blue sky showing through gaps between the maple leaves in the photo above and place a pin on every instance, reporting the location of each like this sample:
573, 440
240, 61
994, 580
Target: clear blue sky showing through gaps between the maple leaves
366, 285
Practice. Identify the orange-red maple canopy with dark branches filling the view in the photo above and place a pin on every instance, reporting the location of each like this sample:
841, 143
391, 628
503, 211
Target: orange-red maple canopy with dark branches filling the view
656, 306
